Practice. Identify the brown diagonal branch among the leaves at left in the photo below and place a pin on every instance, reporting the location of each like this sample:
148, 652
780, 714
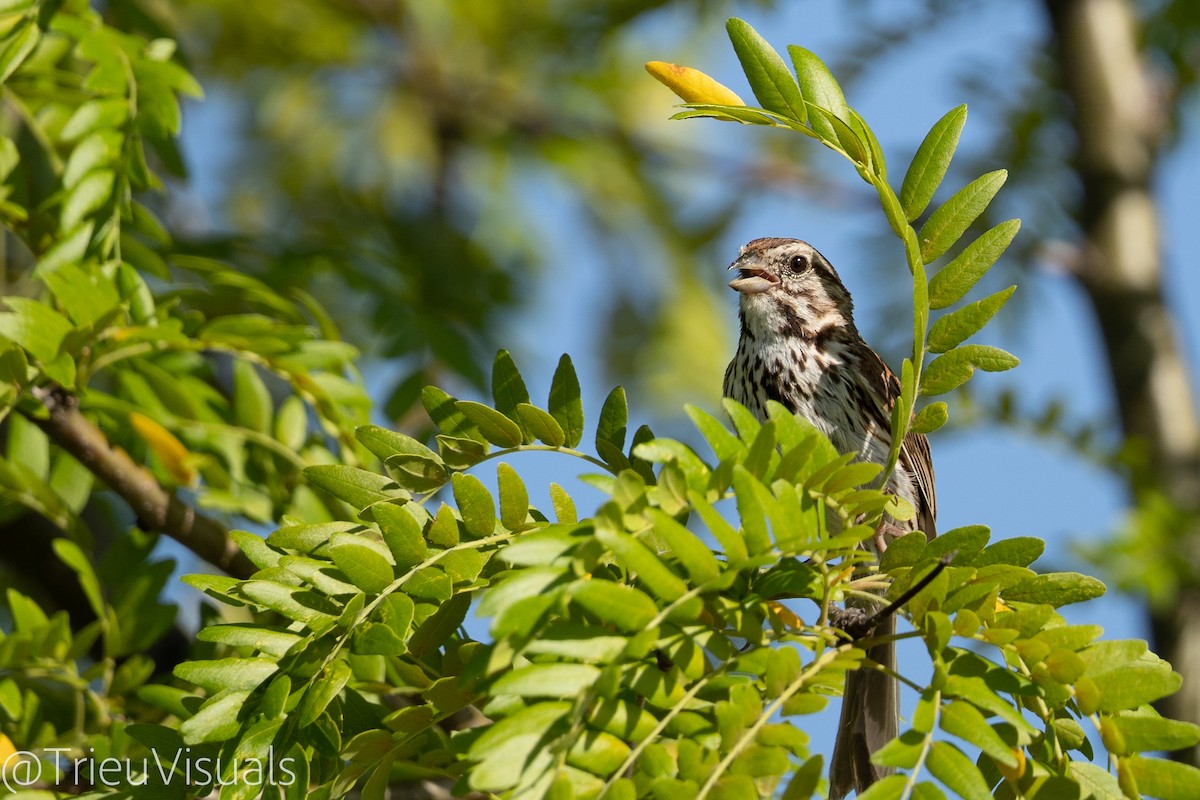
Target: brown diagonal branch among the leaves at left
157, 509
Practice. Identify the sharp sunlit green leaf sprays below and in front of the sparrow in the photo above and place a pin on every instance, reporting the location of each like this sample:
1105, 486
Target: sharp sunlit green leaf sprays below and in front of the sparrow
652, 648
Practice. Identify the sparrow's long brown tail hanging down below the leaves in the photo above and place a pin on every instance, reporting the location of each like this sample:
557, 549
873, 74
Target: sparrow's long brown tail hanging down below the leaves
871, 719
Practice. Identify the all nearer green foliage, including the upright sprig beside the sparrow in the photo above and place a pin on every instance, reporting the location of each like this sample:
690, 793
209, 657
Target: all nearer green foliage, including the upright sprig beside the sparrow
670, 643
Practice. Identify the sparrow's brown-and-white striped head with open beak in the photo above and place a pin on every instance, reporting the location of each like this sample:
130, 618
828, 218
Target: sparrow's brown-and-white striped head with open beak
788, 287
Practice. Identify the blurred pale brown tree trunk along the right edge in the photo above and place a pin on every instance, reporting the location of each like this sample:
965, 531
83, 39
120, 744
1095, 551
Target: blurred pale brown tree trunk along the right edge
1120, 122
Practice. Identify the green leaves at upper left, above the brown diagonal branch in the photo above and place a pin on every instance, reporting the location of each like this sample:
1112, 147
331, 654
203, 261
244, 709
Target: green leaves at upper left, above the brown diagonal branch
94, 107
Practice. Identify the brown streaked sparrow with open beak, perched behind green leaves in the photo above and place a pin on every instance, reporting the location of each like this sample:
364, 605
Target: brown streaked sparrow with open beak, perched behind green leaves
800, 347
